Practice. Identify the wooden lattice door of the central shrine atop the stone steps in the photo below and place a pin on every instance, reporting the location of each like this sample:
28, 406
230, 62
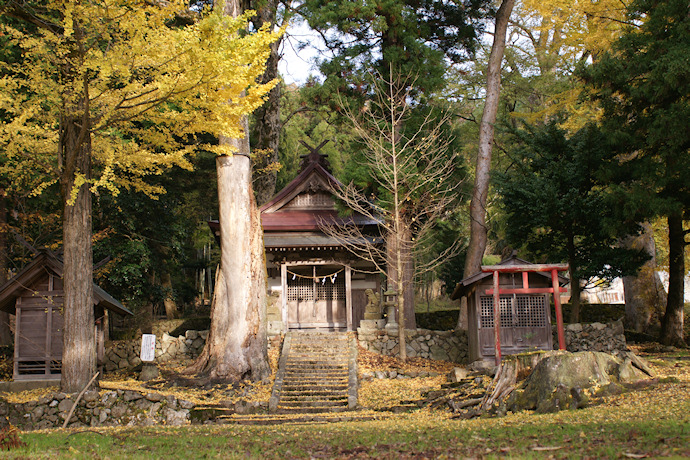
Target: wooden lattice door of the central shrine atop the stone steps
316, 297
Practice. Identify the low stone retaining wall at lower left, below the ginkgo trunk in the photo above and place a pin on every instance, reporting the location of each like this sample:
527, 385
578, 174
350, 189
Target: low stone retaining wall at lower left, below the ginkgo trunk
107, 408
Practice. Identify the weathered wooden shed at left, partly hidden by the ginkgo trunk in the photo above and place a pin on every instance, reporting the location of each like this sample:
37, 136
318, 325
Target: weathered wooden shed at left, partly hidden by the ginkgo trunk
35, 297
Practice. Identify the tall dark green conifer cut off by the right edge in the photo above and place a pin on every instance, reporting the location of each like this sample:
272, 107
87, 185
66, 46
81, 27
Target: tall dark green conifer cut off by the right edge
643, 85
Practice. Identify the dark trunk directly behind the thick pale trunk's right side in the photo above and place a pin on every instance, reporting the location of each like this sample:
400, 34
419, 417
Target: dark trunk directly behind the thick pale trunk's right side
266, 130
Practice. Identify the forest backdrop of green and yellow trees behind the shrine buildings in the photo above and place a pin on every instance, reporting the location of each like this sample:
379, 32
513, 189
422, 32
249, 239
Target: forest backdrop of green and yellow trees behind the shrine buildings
573, 179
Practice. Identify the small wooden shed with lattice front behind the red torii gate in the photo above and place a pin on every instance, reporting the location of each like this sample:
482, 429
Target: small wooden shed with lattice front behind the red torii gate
525, 313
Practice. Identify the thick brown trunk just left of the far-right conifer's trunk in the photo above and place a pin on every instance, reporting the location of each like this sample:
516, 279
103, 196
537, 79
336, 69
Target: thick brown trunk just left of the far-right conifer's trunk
643, 292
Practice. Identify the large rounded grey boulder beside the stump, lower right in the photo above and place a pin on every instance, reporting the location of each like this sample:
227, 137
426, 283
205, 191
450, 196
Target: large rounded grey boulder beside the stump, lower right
566, 380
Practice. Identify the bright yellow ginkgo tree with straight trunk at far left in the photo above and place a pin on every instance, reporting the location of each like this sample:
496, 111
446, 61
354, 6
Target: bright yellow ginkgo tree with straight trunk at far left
117, 90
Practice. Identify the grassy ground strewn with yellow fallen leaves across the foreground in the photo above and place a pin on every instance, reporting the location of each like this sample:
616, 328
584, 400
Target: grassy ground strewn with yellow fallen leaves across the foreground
653, 422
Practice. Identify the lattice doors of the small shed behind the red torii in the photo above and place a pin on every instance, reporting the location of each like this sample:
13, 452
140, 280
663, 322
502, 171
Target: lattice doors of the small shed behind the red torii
525, 323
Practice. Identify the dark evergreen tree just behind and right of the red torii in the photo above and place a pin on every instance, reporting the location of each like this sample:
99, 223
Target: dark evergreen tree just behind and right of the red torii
557, 209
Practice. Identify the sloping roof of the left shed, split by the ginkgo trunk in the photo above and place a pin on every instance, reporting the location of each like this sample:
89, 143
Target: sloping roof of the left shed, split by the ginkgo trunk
48, 261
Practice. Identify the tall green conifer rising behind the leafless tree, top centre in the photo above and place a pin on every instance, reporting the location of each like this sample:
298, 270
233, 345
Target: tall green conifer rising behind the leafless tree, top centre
413, 39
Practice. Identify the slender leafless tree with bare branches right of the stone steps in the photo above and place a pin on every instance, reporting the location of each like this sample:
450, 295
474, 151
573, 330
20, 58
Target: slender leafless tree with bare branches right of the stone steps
415, 188
